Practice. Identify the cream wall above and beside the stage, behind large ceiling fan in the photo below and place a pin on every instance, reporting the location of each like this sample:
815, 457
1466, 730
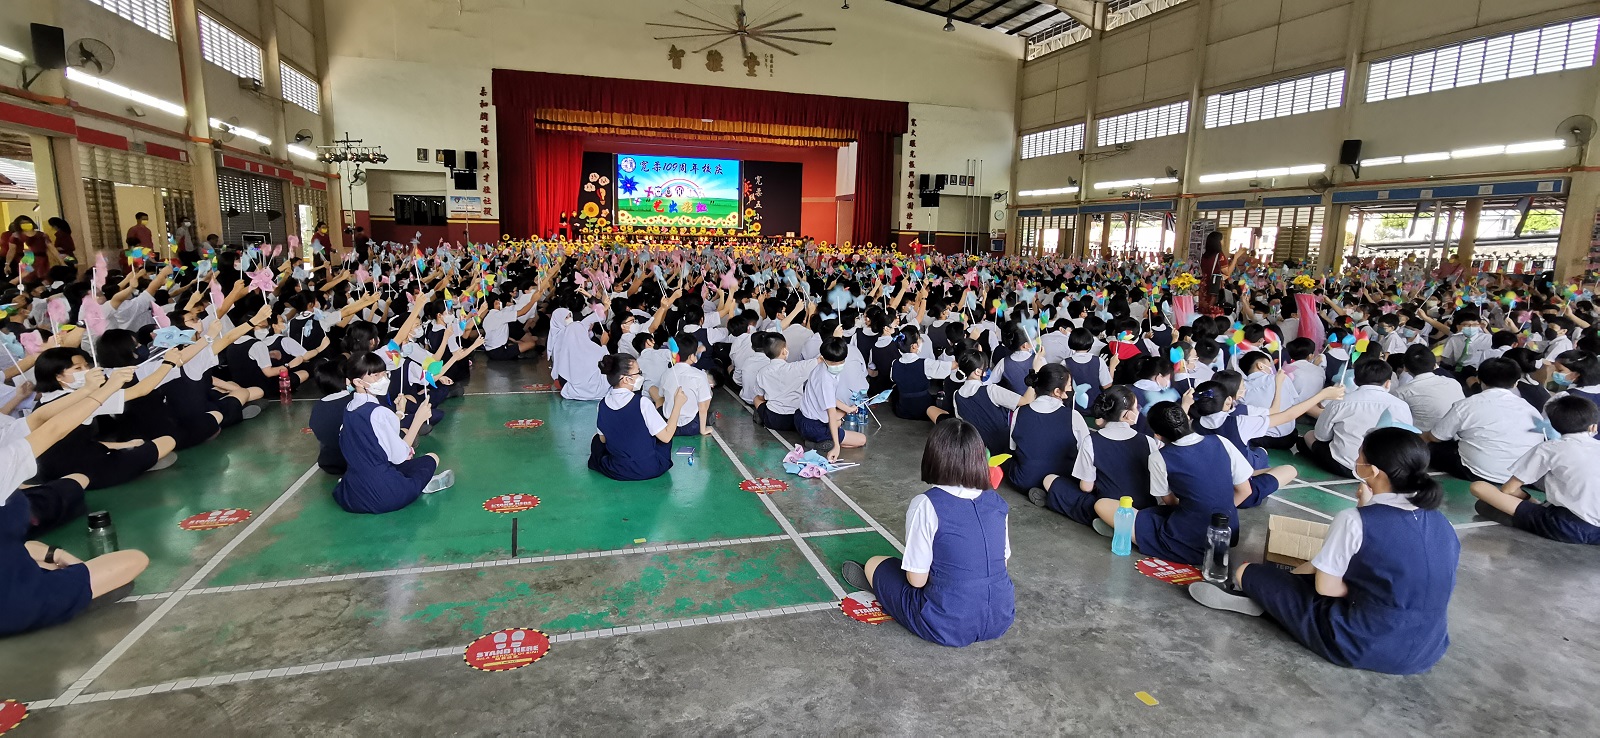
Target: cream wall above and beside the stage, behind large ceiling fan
407, 73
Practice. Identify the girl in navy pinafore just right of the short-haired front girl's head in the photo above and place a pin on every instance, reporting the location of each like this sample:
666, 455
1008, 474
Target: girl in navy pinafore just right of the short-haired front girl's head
1046, 433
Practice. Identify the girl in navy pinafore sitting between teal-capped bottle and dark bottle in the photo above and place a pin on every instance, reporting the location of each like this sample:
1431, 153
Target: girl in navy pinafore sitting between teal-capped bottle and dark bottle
1193, 478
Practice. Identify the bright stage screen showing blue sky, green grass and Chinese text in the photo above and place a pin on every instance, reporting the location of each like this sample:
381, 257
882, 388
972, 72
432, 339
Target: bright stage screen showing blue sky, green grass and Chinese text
678, 193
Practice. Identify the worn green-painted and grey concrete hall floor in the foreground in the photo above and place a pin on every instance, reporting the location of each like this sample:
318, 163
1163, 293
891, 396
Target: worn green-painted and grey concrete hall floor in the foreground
410, 590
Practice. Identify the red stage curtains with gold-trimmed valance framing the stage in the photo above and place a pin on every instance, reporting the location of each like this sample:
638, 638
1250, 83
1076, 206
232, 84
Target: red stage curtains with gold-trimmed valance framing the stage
543, 118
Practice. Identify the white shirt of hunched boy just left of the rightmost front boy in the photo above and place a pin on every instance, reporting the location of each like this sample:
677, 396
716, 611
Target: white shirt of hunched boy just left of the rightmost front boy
1495, 428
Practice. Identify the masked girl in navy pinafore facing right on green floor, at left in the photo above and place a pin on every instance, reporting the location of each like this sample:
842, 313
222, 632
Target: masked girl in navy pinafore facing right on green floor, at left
382, 473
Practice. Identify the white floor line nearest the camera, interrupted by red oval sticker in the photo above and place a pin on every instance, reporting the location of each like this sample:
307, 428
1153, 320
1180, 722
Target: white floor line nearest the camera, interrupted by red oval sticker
393, 659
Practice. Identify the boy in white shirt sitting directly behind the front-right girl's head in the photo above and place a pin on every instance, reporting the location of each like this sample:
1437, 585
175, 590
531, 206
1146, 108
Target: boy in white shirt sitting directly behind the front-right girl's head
1342, 427
